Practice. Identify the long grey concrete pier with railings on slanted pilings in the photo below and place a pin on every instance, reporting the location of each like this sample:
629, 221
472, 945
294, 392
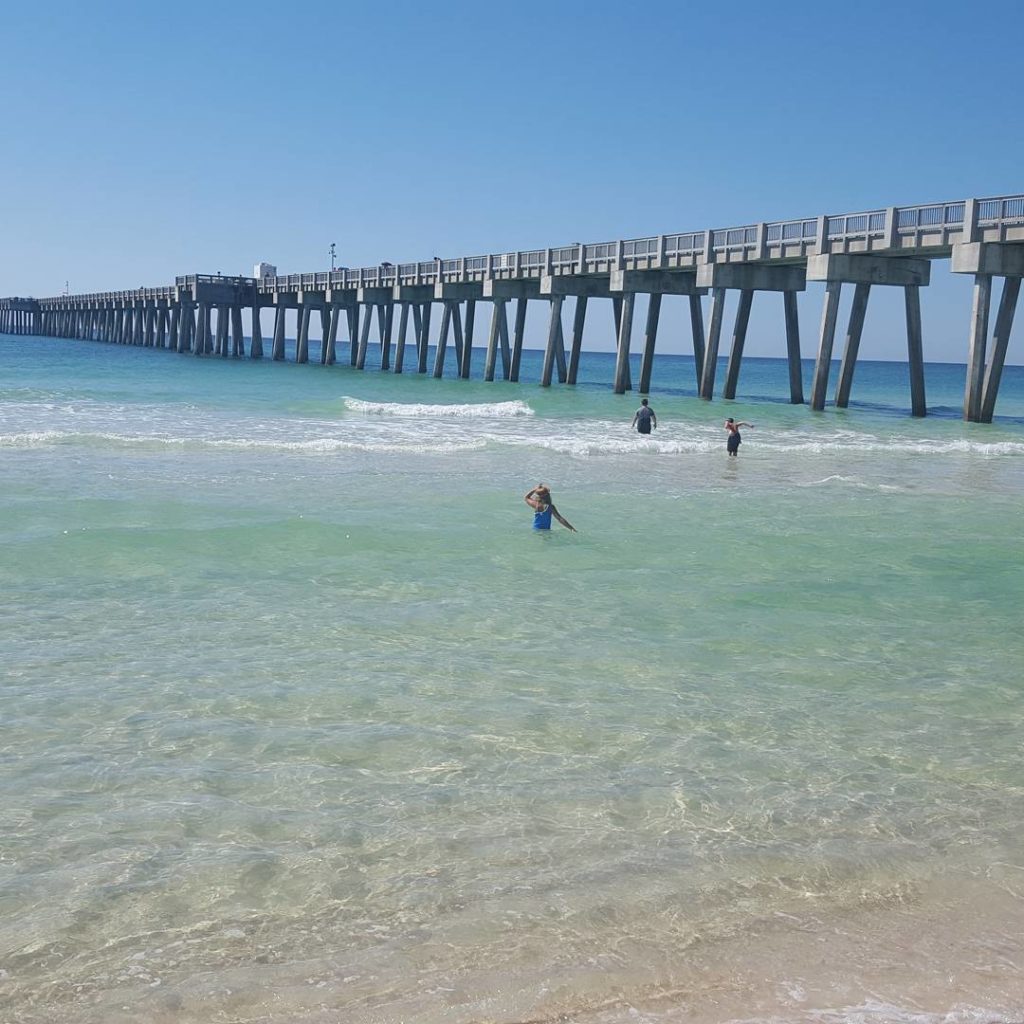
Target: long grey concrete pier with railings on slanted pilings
891, 247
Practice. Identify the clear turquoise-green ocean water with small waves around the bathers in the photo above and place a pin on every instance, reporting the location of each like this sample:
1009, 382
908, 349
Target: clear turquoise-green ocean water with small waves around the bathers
302, 722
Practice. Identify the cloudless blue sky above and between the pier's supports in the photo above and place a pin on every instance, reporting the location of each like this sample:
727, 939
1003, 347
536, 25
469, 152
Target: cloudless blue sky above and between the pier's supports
141, 142
